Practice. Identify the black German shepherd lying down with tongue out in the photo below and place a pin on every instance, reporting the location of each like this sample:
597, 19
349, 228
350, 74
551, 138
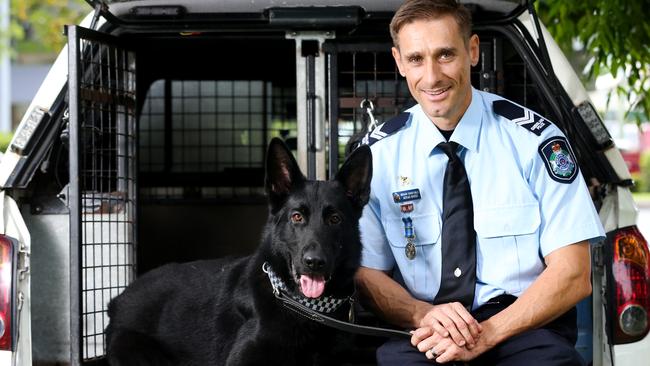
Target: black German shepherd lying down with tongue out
224, 312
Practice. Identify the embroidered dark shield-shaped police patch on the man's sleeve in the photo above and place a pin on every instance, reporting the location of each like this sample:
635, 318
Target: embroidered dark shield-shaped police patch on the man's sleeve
559, 159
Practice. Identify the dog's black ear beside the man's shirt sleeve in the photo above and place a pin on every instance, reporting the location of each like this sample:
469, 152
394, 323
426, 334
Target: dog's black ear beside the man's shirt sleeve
355, 175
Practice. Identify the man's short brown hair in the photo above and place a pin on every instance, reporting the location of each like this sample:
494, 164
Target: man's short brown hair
412, 10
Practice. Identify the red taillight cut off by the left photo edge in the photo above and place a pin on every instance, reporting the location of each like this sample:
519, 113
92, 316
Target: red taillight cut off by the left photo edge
7, 291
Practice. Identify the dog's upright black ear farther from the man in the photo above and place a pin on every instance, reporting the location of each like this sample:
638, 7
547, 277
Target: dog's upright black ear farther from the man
282, 171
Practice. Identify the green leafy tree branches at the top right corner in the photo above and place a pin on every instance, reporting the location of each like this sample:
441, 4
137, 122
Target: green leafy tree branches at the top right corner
615, 35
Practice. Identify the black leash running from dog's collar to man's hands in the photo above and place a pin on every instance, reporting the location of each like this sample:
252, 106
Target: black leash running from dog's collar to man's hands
321, 318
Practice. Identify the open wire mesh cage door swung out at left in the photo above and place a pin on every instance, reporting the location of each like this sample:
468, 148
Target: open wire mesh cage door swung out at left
102, 189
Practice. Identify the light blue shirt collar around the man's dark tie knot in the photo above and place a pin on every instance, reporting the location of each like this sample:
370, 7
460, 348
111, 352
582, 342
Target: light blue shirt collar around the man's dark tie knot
465, 134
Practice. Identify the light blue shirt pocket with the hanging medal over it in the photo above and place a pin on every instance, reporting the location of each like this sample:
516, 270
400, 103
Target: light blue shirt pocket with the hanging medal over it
420, 275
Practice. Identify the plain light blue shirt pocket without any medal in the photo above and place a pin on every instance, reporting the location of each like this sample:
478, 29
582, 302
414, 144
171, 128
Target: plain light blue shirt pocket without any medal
508, 245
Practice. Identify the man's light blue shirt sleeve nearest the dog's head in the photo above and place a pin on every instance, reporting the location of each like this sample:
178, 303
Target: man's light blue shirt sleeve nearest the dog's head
376, 252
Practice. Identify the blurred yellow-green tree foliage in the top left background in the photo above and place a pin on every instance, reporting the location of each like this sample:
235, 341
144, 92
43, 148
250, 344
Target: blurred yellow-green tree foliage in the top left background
37, 25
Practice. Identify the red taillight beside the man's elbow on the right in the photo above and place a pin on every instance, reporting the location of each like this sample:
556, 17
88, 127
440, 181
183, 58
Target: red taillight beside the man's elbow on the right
630, 269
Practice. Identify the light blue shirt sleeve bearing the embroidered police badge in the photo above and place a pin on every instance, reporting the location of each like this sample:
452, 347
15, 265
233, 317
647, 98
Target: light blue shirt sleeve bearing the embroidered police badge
567, 212
